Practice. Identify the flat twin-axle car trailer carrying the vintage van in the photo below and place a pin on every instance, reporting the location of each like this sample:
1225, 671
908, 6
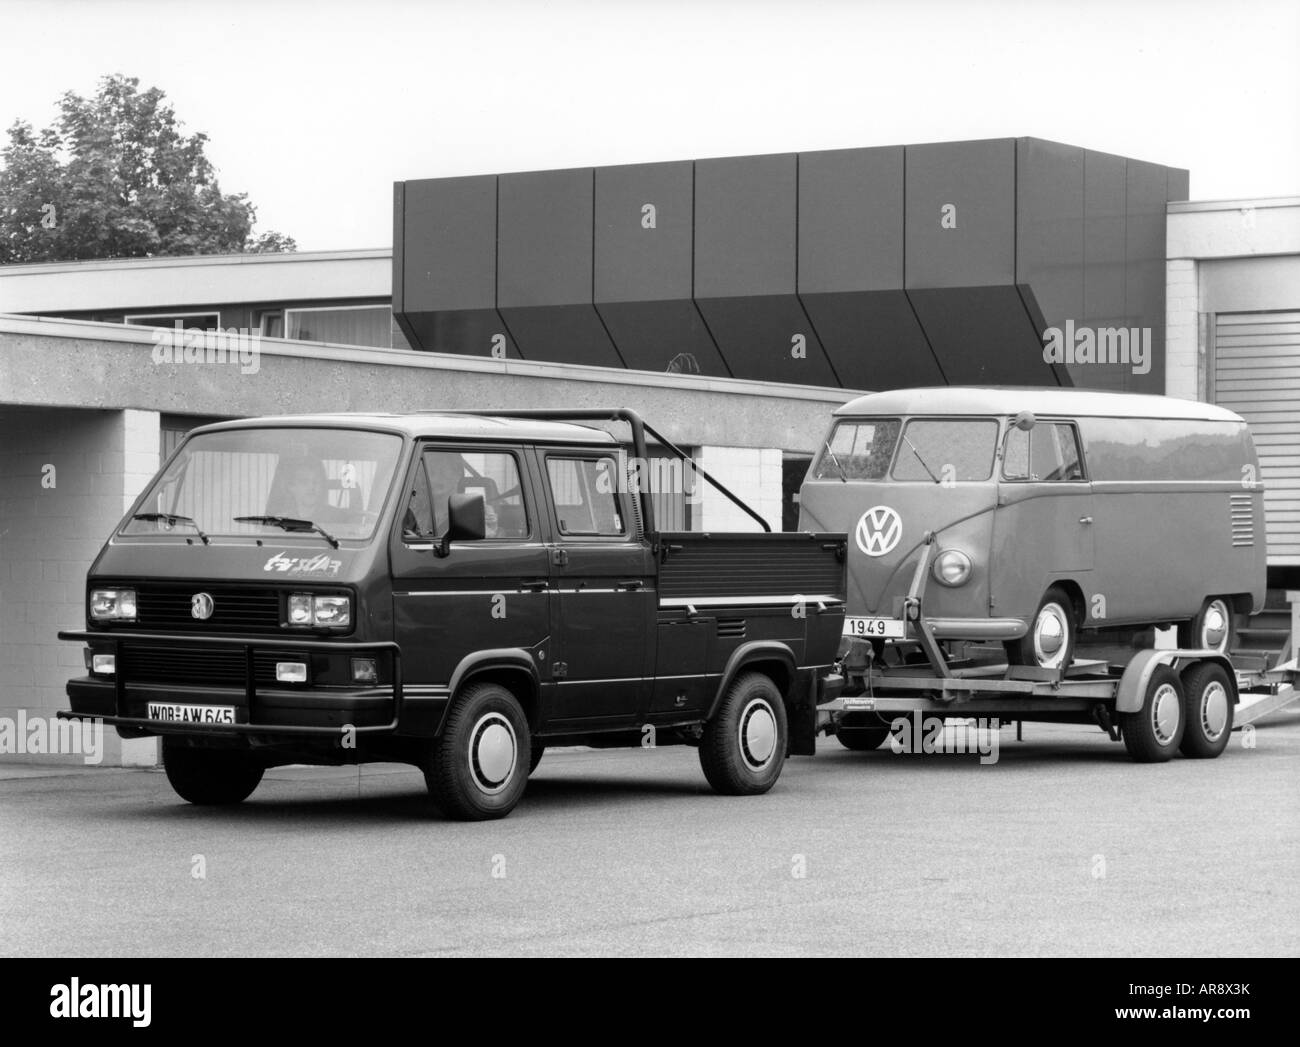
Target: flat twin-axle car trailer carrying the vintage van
1162, 702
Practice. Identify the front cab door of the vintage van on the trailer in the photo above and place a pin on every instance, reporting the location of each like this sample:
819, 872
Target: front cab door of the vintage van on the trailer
1043, 530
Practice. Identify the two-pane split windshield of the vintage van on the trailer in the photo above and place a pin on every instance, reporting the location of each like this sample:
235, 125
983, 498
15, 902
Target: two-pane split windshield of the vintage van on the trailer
921, 449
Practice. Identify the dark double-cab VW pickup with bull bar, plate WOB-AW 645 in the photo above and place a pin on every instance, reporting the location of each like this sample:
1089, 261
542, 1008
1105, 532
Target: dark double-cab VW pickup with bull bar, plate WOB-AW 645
452, 591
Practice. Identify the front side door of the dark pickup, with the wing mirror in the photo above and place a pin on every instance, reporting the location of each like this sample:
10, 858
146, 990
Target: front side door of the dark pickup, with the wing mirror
484, 595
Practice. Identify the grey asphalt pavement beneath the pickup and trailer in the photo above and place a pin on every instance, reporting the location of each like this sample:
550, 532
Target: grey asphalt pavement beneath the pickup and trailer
1064, 847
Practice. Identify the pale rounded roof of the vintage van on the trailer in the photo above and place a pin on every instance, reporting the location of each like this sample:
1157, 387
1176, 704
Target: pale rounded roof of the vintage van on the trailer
994, 400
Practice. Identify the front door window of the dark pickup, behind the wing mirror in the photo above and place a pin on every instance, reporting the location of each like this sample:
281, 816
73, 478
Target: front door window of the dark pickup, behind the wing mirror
492, 474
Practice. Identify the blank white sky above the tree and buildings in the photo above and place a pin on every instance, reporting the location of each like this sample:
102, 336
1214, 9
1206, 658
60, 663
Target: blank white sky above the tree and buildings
317, 109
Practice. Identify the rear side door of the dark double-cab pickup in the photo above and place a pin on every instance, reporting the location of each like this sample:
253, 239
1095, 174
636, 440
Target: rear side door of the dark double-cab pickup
604, 577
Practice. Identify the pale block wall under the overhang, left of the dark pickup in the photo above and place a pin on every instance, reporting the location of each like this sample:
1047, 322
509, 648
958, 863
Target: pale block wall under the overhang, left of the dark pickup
70, 477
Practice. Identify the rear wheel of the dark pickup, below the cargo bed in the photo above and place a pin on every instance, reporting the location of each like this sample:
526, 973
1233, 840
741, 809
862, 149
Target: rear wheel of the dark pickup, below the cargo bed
744, 745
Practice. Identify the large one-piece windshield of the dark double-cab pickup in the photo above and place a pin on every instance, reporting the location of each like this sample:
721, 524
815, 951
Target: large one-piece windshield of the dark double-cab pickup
336, 479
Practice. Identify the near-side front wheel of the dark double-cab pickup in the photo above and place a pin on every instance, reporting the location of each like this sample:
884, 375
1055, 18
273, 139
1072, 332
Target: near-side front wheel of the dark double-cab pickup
476, 768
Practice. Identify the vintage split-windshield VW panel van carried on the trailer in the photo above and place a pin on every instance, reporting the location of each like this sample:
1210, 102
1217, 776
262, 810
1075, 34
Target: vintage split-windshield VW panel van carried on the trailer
1056, 513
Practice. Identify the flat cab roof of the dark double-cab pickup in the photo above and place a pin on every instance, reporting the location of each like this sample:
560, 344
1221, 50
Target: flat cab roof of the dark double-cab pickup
445, 425
